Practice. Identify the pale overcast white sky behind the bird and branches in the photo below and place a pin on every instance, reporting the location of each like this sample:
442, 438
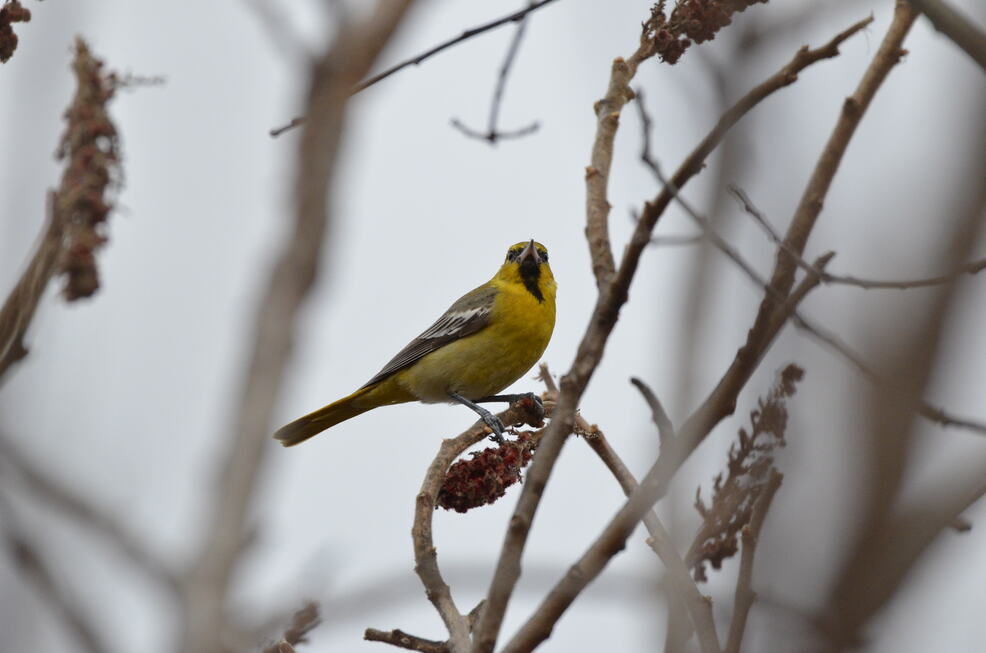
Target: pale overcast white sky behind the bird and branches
128, 396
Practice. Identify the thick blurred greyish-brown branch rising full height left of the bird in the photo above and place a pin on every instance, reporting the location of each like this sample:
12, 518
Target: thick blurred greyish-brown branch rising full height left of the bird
206, 585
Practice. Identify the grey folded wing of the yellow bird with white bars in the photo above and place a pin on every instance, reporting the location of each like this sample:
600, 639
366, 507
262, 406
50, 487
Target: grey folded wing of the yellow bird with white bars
466, 316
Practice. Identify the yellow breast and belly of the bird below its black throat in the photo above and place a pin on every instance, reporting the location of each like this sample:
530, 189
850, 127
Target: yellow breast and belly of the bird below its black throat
489, 360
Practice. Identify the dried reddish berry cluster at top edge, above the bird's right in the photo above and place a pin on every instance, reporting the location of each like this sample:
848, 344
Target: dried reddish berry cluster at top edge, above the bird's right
691, 21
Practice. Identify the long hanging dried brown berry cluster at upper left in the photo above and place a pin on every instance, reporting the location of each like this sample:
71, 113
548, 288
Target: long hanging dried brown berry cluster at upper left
91, 146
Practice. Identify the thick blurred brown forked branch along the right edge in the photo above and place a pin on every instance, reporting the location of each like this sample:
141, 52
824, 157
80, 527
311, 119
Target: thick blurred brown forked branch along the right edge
895, 530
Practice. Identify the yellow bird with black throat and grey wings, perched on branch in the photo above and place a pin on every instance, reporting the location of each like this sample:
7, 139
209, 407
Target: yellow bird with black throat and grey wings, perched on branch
484, 342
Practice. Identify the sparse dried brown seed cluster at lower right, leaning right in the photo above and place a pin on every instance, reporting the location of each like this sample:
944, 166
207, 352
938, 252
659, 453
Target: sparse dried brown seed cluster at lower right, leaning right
750, 463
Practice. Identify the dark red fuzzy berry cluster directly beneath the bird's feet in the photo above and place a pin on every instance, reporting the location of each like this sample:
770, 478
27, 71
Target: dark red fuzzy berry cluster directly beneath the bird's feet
485, 477
